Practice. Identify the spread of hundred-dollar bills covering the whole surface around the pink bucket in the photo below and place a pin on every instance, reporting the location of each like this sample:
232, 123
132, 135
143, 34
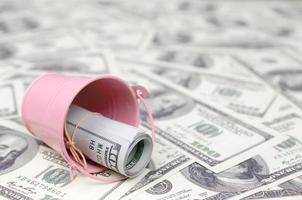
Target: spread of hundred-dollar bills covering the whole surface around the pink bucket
226, 93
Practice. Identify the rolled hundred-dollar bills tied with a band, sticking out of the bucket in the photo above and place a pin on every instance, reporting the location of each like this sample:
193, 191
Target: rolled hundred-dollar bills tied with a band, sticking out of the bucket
115, 145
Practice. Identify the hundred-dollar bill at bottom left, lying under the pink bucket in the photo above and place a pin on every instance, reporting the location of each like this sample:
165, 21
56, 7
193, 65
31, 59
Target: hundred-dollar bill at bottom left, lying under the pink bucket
50, 180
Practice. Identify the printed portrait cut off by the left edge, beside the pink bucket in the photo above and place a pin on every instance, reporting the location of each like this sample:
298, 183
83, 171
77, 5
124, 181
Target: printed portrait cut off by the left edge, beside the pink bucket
16, 149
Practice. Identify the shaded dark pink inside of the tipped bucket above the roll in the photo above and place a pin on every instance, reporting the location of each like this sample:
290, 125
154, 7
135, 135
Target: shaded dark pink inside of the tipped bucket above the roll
110, 97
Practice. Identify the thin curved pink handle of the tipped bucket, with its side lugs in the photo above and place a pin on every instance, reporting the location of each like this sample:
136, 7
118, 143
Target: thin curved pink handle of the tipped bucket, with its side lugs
141, 93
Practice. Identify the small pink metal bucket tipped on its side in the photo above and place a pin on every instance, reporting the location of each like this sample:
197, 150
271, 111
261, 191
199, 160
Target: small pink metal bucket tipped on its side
48, 98
